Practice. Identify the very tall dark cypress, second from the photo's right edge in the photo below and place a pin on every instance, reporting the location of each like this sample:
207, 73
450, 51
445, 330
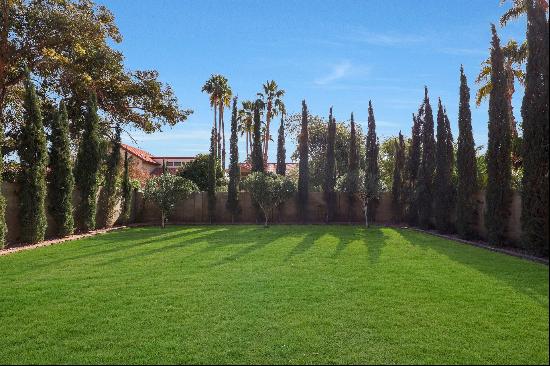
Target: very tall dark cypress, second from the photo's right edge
498, 151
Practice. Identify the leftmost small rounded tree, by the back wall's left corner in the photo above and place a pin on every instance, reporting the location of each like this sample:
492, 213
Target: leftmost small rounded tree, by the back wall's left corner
166, 190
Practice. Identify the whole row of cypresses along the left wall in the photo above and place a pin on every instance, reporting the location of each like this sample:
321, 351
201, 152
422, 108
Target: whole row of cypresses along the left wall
47, 178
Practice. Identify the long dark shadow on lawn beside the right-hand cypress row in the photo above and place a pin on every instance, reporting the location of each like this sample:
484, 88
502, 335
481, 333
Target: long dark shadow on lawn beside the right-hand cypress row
528, 278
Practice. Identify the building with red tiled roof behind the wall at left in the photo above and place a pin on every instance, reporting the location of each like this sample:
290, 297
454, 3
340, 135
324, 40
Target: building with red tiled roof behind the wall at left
144, 164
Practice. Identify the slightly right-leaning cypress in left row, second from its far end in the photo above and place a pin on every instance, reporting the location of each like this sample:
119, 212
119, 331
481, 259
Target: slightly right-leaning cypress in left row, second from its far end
108, 196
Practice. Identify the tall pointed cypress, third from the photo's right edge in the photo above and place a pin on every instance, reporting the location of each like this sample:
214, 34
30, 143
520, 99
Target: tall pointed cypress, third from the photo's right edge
466, 208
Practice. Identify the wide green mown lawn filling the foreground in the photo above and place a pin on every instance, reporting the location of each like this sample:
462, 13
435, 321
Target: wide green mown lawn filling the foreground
286, 294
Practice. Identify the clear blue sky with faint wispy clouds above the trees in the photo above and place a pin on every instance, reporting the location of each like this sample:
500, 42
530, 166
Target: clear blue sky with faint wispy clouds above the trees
339, 53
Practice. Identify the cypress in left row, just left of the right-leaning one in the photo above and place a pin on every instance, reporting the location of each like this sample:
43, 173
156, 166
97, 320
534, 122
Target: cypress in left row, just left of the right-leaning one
88, 163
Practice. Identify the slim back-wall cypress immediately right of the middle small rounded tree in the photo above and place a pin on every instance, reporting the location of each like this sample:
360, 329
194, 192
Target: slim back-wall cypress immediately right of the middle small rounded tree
303, 177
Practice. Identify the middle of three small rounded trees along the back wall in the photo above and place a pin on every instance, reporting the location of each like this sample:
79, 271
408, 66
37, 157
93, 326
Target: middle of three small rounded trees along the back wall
269, 190
